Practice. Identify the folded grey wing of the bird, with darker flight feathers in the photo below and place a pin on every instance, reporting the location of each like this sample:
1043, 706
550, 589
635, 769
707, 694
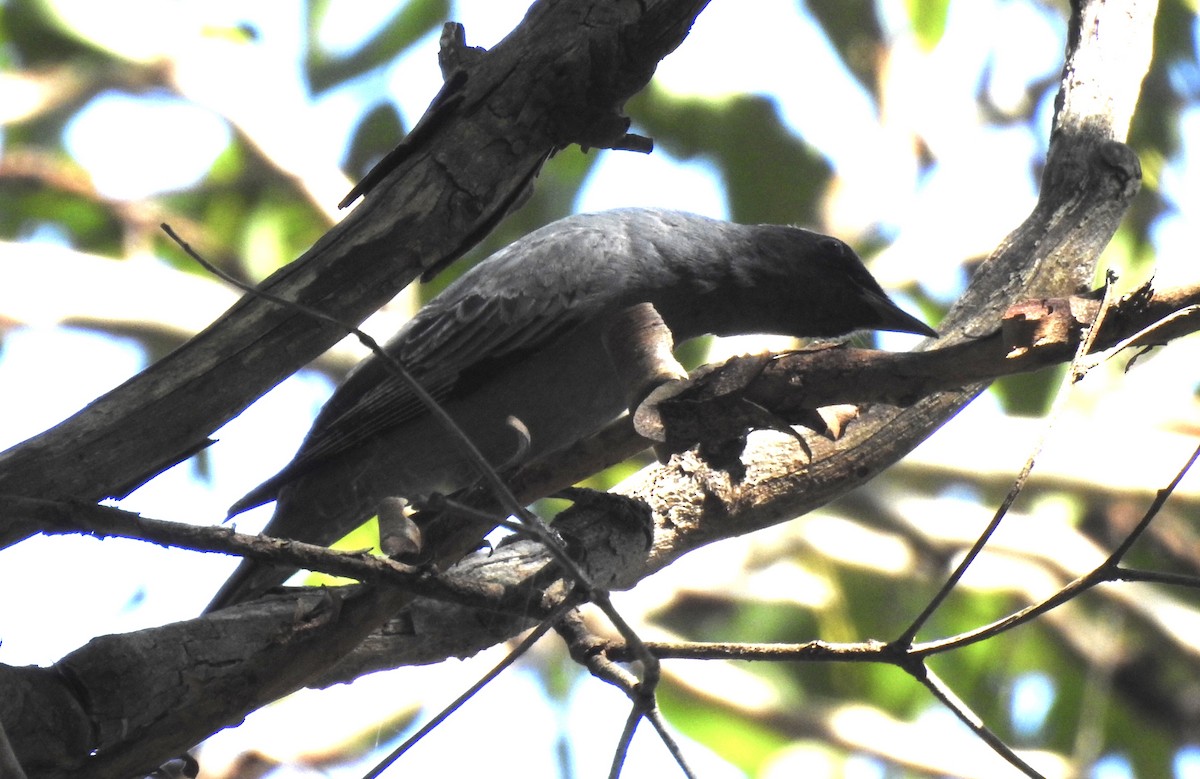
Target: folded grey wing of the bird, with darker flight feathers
512, 304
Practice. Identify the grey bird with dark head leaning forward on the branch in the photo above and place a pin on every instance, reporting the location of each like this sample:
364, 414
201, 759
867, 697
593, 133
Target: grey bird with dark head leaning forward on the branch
520, 334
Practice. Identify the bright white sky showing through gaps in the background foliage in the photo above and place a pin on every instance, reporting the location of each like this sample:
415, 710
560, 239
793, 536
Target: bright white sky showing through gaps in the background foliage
135, 147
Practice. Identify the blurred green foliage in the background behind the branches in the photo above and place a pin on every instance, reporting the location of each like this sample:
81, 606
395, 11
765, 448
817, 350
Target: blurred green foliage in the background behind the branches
251, 215
